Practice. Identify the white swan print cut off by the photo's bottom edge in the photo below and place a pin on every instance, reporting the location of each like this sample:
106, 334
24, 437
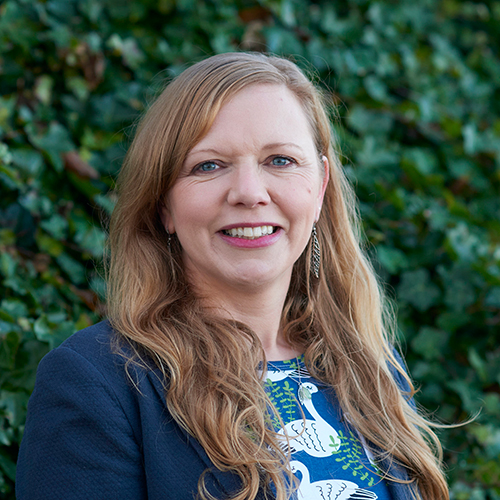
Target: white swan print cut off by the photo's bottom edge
328, 489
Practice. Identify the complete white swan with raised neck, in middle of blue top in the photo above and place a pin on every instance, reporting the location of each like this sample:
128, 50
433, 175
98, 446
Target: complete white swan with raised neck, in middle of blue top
315, 437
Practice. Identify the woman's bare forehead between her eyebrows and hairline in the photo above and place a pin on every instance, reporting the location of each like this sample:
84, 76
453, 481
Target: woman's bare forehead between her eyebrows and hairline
260, 114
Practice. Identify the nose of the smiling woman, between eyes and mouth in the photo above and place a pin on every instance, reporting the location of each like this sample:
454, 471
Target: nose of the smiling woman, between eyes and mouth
248, 187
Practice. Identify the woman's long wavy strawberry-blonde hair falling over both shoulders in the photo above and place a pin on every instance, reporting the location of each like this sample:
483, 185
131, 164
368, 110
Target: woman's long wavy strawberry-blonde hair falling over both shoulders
340, 320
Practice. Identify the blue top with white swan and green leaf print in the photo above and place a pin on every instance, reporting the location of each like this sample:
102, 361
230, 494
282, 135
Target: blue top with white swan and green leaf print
327, 456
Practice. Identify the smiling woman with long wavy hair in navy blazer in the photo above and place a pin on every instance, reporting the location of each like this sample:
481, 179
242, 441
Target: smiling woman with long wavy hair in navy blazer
245, 354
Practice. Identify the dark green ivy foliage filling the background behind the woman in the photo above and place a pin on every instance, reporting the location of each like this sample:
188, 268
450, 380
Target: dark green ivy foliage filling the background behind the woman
416, 84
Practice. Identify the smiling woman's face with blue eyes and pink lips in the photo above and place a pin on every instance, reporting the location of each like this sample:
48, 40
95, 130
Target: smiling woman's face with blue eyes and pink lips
248, 194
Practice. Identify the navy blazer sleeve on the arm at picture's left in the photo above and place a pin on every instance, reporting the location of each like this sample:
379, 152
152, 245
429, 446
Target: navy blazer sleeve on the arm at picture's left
79, 442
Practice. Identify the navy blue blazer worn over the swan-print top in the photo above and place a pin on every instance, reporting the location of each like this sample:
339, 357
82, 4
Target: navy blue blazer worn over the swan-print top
90, 434
